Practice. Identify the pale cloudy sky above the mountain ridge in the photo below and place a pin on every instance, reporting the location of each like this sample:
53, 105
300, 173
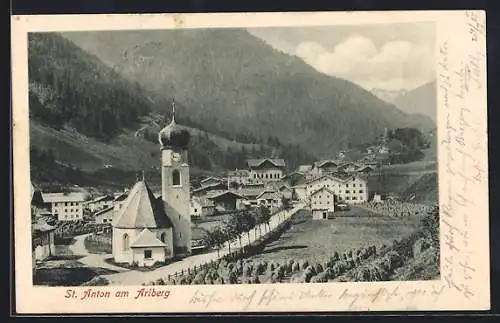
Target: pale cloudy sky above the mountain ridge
388, 56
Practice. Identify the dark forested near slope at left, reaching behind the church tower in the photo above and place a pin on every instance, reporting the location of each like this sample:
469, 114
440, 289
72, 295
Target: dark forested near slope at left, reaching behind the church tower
85, 116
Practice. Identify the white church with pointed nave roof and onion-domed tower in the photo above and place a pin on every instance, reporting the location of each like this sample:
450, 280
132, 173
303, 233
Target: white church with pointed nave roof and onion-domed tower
148, 229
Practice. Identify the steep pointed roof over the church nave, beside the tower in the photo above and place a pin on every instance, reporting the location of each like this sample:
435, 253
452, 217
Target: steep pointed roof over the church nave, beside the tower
142, 210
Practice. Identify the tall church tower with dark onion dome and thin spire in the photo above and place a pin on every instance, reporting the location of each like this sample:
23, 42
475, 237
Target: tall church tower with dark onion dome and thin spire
175, 183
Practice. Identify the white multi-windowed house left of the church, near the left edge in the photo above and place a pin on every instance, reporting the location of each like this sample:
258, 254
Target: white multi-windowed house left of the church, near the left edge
65, 206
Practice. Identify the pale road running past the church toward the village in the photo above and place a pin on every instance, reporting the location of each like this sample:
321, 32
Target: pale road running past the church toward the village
133, 277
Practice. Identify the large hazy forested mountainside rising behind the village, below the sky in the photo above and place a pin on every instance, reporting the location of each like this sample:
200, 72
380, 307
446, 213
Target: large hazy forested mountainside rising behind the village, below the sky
232, 81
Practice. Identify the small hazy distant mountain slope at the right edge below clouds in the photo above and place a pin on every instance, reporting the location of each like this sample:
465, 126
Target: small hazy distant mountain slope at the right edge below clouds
421, 100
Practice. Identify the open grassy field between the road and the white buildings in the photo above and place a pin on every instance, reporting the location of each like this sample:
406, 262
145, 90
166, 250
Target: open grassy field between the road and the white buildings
316, 240
